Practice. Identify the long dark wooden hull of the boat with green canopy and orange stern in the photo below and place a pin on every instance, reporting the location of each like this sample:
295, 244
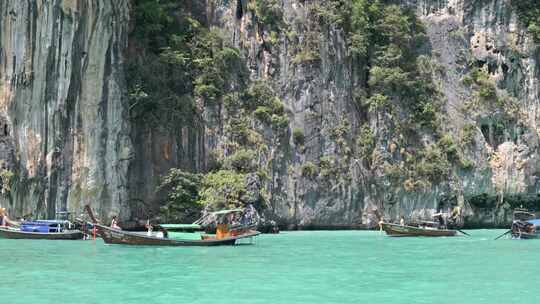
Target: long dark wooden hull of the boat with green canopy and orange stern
116, 236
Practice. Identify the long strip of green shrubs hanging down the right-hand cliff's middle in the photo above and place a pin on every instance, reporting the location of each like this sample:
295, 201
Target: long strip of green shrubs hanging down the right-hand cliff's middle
389, 42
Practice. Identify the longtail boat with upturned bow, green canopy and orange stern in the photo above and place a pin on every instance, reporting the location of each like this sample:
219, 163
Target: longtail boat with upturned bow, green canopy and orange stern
225, 235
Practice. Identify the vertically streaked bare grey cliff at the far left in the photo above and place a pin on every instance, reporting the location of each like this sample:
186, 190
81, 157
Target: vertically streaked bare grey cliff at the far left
62, 99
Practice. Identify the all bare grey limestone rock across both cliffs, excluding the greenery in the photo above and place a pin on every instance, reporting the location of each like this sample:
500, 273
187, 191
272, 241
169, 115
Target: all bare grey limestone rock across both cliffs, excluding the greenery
67, 137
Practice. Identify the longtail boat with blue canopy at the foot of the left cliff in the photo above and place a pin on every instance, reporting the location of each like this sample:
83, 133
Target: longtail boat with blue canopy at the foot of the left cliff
42, 230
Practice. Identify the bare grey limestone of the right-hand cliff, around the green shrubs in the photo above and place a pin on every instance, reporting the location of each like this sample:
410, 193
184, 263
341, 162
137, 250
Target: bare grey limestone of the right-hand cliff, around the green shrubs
319, 93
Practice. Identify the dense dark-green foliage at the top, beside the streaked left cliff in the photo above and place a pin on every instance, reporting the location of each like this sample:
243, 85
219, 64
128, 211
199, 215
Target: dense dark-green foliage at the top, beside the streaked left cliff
177, 61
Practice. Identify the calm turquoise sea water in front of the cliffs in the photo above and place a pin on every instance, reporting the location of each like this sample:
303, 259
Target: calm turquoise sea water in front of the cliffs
292, 267
